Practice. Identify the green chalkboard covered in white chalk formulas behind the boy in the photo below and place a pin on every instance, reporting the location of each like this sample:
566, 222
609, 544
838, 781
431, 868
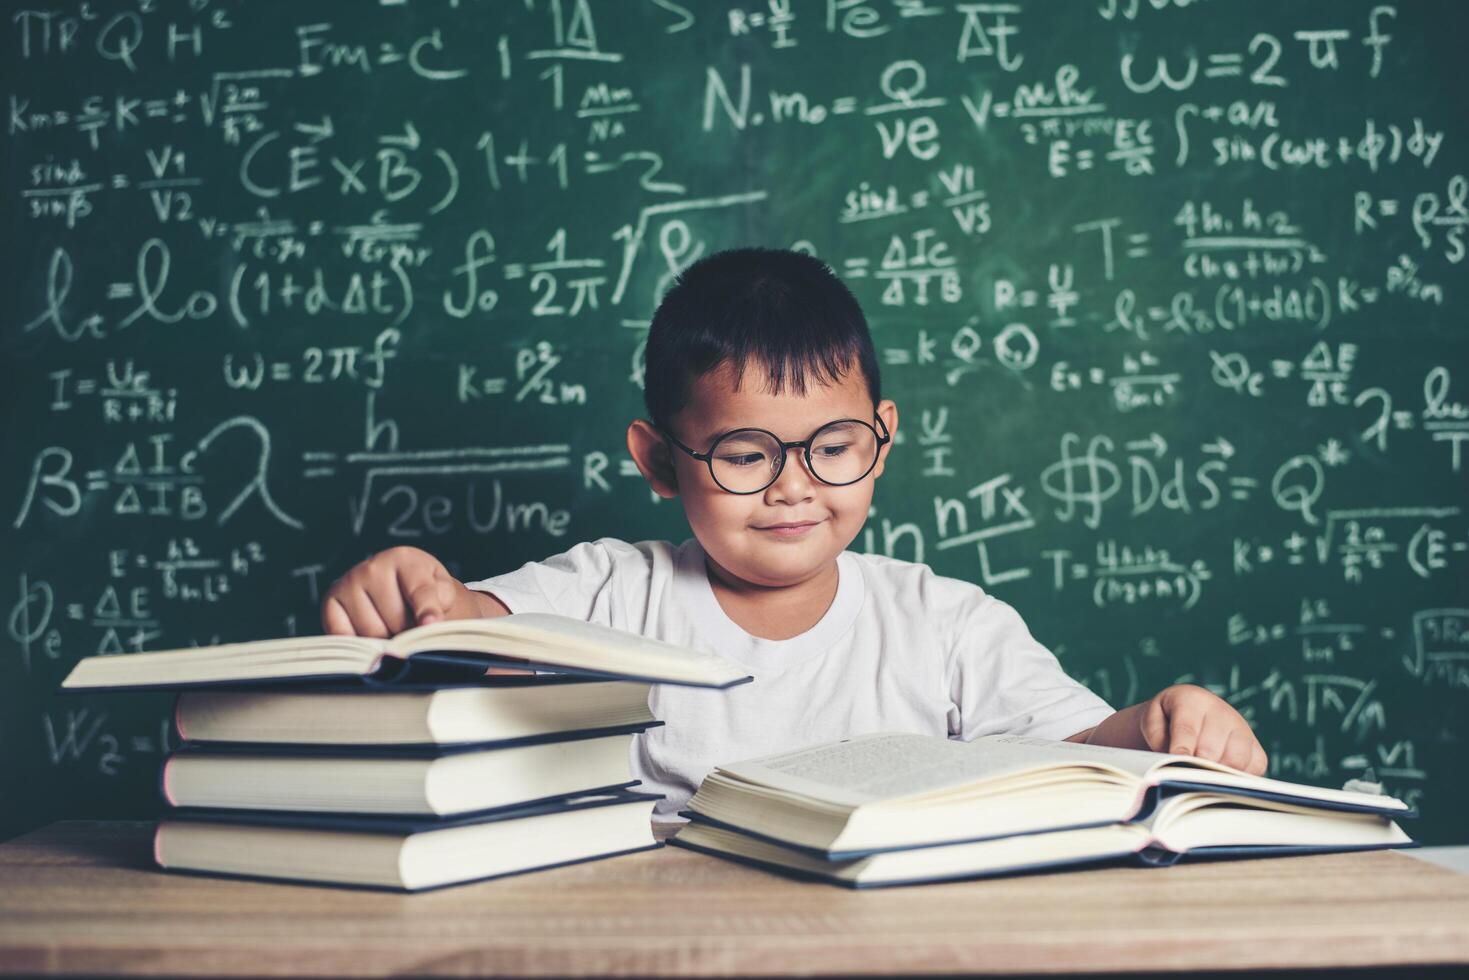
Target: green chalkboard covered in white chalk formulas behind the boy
1170, 295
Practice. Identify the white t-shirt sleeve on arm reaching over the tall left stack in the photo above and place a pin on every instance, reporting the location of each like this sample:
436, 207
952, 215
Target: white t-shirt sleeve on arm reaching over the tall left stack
587, 583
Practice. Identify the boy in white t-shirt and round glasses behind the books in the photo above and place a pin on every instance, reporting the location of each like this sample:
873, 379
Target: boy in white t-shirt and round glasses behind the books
766, 422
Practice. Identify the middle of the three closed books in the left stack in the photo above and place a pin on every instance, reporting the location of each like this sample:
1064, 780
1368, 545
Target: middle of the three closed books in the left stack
399, 781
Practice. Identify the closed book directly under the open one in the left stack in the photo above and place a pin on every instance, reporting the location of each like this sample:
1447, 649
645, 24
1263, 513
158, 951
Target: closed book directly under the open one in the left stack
503, 707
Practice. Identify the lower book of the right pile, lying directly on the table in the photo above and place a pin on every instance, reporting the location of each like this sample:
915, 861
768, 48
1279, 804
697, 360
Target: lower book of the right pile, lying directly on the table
1191, 824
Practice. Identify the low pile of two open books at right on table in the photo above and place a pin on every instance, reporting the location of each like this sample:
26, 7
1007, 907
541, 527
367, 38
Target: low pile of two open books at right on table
897, 809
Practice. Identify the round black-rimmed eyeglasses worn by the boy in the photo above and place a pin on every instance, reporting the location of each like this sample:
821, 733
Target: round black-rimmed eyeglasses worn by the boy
750, 461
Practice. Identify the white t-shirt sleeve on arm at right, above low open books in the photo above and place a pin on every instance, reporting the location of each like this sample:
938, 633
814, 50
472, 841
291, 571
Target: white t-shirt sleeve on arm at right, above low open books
1004, 682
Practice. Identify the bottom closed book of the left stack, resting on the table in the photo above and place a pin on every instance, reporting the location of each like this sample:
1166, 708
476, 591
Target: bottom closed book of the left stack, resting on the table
406, 854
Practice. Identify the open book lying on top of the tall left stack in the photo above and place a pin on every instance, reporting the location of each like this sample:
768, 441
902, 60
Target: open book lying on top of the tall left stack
524, 640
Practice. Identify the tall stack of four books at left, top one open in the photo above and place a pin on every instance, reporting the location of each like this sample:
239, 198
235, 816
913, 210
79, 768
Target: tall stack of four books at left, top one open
402, 763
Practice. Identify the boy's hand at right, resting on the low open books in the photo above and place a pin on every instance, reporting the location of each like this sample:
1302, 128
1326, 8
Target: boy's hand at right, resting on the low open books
1189, 721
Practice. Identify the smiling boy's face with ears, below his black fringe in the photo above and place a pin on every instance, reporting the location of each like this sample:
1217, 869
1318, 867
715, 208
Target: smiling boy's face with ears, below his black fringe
740, 531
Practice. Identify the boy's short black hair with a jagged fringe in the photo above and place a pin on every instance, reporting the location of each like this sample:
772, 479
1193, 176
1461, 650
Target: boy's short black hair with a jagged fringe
785, 311
